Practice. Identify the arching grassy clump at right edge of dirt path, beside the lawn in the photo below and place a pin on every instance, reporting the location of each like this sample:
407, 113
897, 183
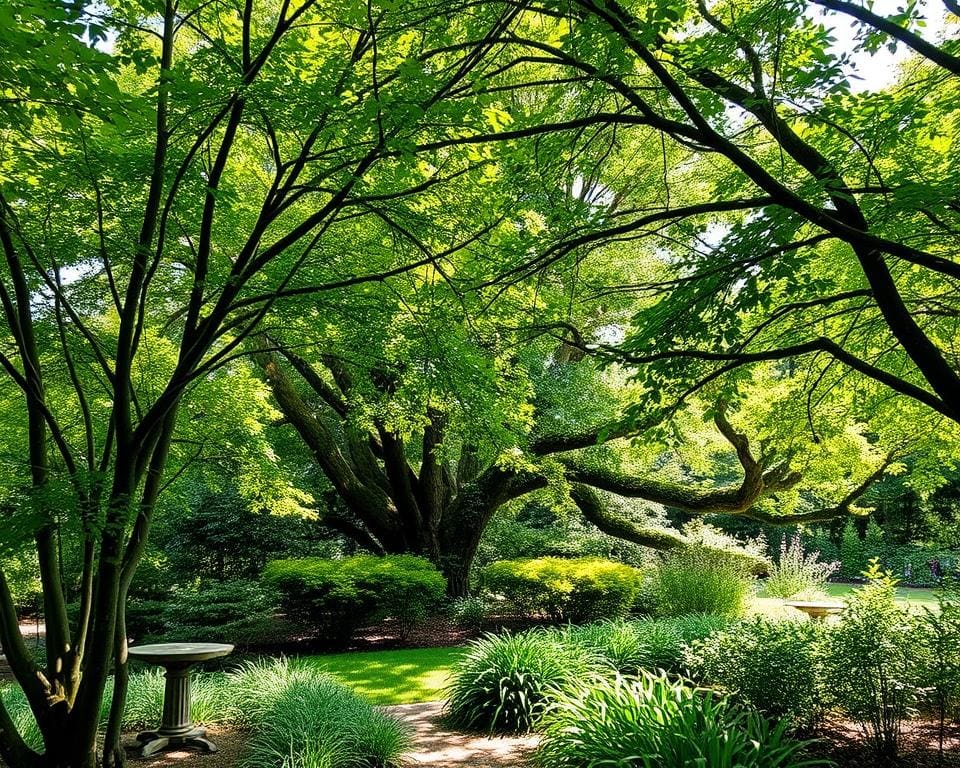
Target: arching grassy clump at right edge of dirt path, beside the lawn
502, 683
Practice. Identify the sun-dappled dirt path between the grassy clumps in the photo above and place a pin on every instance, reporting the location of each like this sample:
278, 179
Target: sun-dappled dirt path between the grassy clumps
437, 747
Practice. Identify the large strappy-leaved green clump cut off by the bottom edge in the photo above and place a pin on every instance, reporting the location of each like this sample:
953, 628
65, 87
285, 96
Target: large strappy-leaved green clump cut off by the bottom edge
652, 721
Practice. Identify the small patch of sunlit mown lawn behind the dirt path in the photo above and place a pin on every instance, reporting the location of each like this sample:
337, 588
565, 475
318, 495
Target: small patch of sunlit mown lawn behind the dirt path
392, 677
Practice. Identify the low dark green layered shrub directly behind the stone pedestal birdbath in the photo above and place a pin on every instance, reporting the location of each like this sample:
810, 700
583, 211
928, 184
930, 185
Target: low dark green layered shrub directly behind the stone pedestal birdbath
240, 612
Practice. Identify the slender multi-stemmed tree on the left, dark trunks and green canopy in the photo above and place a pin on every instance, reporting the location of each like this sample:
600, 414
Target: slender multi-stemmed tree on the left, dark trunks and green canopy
164, 191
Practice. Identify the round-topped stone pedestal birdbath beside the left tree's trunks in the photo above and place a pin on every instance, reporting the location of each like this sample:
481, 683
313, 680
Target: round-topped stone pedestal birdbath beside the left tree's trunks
176, 728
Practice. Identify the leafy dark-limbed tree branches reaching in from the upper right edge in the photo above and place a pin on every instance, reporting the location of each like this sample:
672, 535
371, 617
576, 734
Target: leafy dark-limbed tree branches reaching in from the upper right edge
817, 226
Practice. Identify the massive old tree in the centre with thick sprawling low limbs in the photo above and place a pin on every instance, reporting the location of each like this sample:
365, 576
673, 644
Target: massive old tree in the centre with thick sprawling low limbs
424, 435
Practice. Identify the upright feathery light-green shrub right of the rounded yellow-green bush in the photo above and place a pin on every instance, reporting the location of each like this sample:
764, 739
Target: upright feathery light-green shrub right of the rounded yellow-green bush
698, 579
